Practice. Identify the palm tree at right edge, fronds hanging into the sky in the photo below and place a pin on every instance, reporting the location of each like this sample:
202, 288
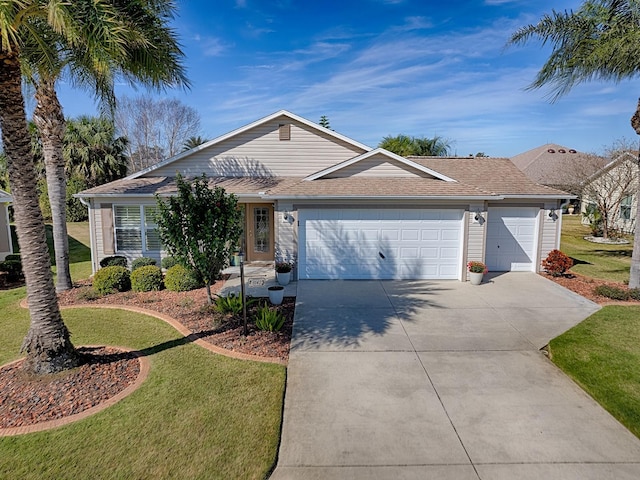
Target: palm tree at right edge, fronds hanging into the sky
599, 41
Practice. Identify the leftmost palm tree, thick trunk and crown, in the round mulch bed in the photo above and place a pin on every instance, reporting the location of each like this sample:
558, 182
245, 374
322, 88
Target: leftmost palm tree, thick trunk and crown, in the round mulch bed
54, 30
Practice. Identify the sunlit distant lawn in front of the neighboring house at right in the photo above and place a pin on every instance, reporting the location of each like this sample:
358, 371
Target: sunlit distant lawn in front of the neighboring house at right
606, 262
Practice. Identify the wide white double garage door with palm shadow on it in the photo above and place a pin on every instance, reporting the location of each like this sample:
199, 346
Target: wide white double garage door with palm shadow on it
380, 244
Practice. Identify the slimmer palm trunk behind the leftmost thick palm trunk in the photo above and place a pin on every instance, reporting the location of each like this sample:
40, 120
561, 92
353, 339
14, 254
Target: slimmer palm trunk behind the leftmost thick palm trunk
49, 118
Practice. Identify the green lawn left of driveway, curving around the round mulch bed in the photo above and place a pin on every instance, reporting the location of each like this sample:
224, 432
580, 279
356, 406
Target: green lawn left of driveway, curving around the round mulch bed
198, 415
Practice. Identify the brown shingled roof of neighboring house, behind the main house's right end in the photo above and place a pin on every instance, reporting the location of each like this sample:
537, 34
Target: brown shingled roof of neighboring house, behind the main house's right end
558, 167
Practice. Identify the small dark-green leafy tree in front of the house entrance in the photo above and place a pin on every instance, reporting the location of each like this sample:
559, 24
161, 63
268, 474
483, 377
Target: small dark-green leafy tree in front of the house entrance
200, 226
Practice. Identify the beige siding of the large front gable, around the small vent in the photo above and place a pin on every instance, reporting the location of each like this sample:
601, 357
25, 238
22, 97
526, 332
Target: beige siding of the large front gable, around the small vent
260, 152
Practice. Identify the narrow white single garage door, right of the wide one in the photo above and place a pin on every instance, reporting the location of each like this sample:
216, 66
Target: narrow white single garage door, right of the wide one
512, 236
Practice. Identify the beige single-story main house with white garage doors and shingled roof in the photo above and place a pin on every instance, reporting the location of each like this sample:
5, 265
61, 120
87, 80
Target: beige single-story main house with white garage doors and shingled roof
343, 210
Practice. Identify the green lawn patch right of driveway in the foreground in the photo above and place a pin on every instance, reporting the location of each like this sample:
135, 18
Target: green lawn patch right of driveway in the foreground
602, 354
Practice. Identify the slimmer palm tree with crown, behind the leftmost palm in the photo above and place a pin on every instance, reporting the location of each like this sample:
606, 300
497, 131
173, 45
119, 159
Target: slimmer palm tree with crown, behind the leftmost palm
151, 56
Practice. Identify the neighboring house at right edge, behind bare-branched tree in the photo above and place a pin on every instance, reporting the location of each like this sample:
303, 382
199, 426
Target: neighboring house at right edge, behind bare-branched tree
613, 191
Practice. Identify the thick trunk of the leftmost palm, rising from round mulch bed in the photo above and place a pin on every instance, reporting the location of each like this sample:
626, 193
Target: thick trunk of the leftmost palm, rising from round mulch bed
47, 343
